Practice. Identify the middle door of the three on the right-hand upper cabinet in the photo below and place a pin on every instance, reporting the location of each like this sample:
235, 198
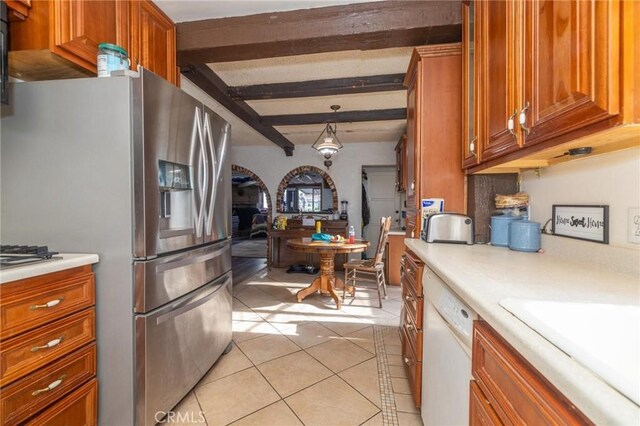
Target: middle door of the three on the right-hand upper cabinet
496, 35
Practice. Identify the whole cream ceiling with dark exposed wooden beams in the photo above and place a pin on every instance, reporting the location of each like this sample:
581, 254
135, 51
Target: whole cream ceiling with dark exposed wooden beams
276, 74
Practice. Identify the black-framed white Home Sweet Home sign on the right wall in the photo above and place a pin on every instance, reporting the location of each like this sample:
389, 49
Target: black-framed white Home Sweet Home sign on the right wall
589, 223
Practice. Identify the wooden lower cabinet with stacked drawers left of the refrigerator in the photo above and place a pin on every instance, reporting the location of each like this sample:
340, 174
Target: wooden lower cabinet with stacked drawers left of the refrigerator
47, 349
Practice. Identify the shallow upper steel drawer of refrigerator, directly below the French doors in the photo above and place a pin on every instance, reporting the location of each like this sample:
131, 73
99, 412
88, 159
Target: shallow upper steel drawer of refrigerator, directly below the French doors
161, 280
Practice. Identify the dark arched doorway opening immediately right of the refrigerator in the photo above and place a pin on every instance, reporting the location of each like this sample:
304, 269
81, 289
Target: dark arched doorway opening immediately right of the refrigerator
249, 197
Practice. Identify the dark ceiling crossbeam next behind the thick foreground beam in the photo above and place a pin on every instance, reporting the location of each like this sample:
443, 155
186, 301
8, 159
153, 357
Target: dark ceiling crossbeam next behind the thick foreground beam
333, 86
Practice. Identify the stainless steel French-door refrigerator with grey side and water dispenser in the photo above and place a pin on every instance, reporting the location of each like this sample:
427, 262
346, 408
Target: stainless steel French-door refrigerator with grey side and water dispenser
137, 171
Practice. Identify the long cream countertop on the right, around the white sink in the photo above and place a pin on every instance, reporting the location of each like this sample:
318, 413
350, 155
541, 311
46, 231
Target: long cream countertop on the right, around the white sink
483, 275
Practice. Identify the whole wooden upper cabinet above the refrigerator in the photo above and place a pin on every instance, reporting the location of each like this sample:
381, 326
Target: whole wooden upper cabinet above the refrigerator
60, 38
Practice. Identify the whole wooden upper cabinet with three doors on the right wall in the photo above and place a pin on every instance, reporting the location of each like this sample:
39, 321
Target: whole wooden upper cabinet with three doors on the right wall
550, 75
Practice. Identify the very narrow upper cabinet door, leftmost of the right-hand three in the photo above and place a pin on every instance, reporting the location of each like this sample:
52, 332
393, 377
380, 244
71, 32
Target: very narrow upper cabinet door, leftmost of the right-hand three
470, 132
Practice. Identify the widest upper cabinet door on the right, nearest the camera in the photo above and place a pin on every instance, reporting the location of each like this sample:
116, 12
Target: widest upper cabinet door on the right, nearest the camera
571, 66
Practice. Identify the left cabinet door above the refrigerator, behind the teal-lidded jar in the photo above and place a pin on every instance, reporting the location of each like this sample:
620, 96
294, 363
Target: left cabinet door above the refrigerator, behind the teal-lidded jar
79, 26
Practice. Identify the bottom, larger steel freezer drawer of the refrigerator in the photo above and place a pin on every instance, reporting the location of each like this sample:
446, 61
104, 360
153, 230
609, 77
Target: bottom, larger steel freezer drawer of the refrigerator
177, 344
